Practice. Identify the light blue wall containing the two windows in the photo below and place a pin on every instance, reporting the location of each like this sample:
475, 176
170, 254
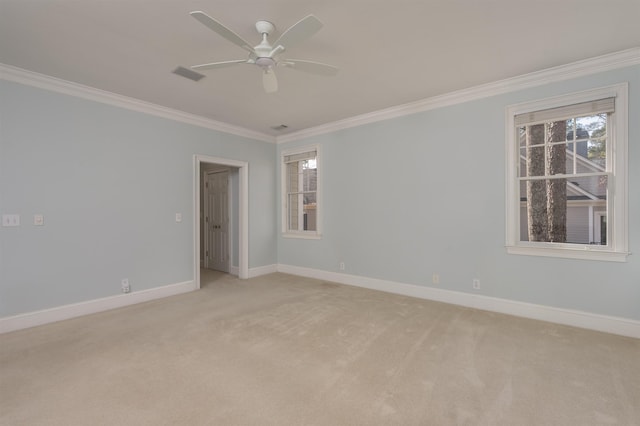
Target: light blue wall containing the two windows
421, 194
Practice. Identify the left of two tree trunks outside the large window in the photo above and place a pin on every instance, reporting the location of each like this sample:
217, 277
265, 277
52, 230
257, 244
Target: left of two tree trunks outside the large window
536, 189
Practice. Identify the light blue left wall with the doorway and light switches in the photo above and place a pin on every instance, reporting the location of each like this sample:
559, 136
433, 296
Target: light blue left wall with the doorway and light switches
109, 182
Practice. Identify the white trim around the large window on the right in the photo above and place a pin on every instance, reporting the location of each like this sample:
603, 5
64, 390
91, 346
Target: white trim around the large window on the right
617, 251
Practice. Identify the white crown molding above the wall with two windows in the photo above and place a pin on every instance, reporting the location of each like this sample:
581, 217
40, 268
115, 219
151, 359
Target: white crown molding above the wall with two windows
585, 67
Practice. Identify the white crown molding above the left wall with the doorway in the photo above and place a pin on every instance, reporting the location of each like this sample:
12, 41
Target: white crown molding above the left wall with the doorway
30, 78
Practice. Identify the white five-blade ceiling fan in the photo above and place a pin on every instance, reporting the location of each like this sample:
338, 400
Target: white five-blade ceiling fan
265, 55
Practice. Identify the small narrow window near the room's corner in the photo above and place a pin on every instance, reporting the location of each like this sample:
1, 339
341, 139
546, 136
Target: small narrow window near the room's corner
301, 196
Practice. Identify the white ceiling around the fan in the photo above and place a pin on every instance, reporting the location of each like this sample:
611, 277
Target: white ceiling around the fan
389, 52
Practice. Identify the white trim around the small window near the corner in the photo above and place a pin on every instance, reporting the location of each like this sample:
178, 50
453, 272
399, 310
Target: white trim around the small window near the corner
312, 235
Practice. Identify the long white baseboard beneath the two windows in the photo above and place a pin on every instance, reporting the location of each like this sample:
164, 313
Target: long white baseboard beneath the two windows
607, 324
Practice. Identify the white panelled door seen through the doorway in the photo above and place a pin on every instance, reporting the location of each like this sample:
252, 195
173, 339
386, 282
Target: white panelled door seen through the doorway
216, 221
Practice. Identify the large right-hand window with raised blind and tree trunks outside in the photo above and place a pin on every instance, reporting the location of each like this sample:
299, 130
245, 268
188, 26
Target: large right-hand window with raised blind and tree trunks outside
567, 176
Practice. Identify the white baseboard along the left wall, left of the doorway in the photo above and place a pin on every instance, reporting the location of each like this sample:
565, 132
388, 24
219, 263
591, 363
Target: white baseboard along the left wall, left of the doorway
32, 319
